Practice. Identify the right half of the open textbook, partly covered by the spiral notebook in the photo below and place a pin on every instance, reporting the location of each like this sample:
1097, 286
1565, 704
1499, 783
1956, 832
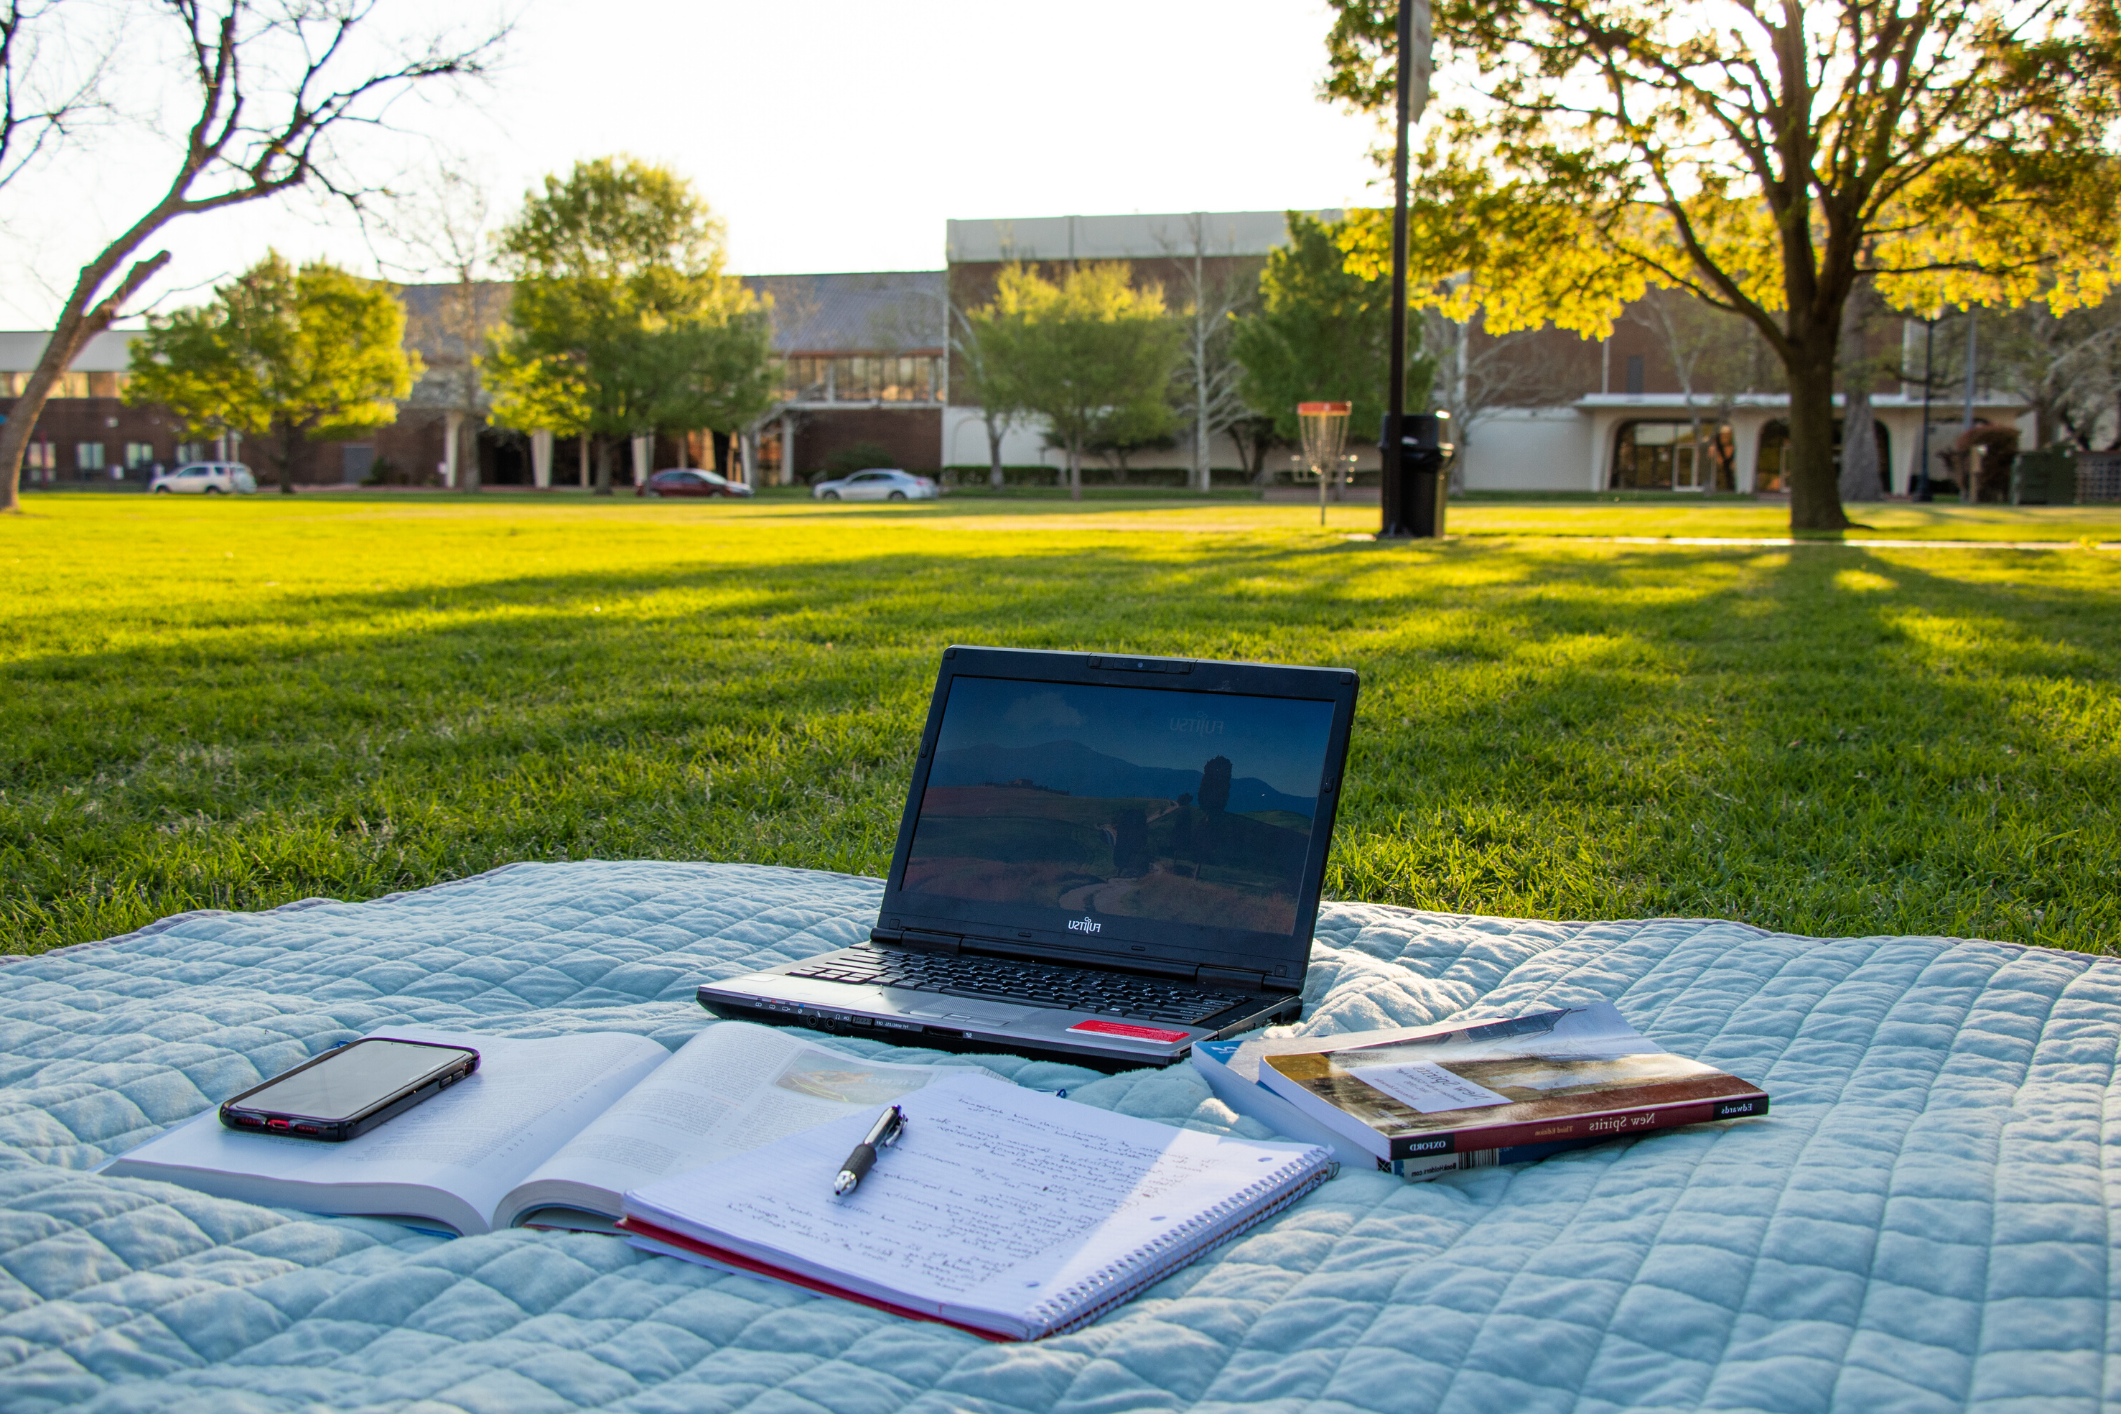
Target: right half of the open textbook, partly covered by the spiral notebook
729, 1091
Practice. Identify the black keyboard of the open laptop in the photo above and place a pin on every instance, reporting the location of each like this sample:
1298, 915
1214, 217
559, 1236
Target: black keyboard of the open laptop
1028, 983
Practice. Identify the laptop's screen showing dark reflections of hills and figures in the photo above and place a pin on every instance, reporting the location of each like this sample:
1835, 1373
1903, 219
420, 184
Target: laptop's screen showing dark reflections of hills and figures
1123, 802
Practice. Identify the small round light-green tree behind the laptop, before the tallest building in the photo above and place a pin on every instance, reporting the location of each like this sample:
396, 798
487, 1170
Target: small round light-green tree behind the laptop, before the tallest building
1085, 353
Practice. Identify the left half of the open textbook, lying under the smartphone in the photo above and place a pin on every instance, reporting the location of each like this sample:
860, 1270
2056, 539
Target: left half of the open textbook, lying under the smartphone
451, 1159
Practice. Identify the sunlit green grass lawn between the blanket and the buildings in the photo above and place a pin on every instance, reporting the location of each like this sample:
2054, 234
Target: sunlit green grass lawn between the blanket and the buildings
241, 703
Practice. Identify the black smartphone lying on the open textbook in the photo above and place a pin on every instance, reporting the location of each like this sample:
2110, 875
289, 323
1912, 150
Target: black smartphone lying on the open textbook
351, 1089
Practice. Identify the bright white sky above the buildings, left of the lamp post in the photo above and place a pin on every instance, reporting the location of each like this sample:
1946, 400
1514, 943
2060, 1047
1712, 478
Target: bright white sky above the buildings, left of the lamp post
830, 137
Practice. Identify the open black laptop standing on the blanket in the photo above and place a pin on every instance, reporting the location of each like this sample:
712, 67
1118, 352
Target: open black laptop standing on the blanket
1104, 860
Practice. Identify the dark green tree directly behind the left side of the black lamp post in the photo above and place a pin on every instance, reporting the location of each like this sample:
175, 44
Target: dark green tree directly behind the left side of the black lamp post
1322, 336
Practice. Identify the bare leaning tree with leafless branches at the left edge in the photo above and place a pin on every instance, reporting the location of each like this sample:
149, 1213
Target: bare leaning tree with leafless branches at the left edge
270, 82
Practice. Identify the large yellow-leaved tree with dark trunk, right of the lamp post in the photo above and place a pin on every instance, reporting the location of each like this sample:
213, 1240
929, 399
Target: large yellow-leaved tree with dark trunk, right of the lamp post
1764, 160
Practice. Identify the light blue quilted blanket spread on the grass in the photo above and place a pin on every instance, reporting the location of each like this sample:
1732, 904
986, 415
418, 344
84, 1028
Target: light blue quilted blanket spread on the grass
1923, 1224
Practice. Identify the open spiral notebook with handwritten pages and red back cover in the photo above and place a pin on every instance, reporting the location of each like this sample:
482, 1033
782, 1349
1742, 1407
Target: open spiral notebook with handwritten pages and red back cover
1004, 1212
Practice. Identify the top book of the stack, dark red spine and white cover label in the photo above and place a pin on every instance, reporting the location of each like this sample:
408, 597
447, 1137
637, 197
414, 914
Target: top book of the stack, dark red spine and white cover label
1552, 1078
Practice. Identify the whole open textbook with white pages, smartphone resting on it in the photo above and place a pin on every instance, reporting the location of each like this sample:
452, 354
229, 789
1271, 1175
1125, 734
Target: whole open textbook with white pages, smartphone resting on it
546, 1133
